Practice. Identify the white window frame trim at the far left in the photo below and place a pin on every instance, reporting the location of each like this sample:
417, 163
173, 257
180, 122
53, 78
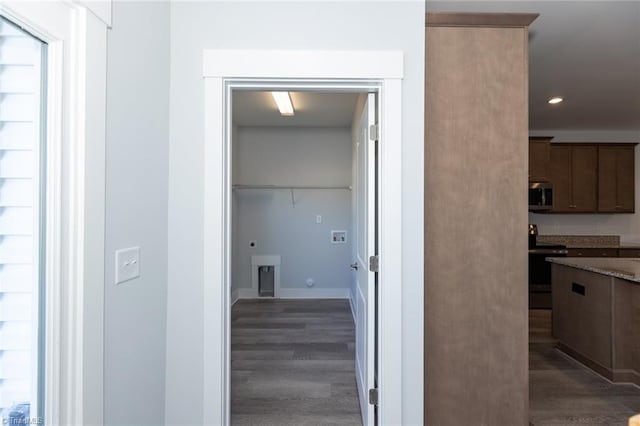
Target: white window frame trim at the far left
75, 179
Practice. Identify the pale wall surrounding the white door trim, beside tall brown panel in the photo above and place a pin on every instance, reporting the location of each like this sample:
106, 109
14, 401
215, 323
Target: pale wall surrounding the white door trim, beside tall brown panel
389, 25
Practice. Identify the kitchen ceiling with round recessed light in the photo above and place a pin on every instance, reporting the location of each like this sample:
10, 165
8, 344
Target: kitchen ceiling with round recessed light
585, 51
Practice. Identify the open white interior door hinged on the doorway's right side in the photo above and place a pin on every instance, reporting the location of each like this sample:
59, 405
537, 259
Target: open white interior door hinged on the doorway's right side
365, 218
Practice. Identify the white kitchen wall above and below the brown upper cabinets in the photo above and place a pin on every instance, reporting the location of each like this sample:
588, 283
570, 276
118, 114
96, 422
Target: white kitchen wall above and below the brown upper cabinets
625, 225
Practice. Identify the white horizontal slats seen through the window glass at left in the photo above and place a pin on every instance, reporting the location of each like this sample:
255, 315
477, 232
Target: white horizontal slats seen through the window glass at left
20, 106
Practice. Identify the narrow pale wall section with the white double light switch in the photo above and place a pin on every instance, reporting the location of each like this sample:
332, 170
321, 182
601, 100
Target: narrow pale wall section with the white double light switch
136, 211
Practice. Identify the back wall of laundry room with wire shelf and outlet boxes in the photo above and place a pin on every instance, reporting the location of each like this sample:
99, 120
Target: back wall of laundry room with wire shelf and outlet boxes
293, 156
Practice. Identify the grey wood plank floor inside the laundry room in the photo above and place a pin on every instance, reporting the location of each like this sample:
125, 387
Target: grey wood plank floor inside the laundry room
292, 363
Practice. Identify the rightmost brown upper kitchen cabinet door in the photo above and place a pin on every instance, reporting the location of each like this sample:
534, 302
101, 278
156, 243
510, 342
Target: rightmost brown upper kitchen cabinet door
616, 183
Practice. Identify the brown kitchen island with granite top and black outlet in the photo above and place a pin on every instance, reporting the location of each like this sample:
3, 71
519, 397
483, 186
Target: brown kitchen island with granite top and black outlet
596, 314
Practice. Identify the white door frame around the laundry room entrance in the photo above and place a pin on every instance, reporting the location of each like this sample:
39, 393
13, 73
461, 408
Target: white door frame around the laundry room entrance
322, 70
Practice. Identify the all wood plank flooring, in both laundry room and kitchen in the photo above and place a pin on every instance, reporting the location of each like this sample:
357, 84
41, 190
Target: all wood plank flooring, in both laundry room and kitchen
292, 363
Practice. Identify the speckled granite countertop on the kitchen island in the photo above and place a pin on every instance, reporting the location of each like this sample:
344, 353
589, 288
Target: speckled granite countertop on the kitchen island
626, 269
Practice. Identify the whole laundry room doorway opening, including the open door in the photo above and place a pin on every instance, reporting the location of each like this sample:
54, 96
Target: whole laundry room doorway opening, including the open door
303, 227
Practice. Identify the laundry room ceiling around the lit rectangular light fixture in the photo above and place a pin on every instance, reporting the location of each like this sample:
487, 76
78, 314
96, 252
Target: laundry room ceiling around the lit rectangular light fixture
312, 109
